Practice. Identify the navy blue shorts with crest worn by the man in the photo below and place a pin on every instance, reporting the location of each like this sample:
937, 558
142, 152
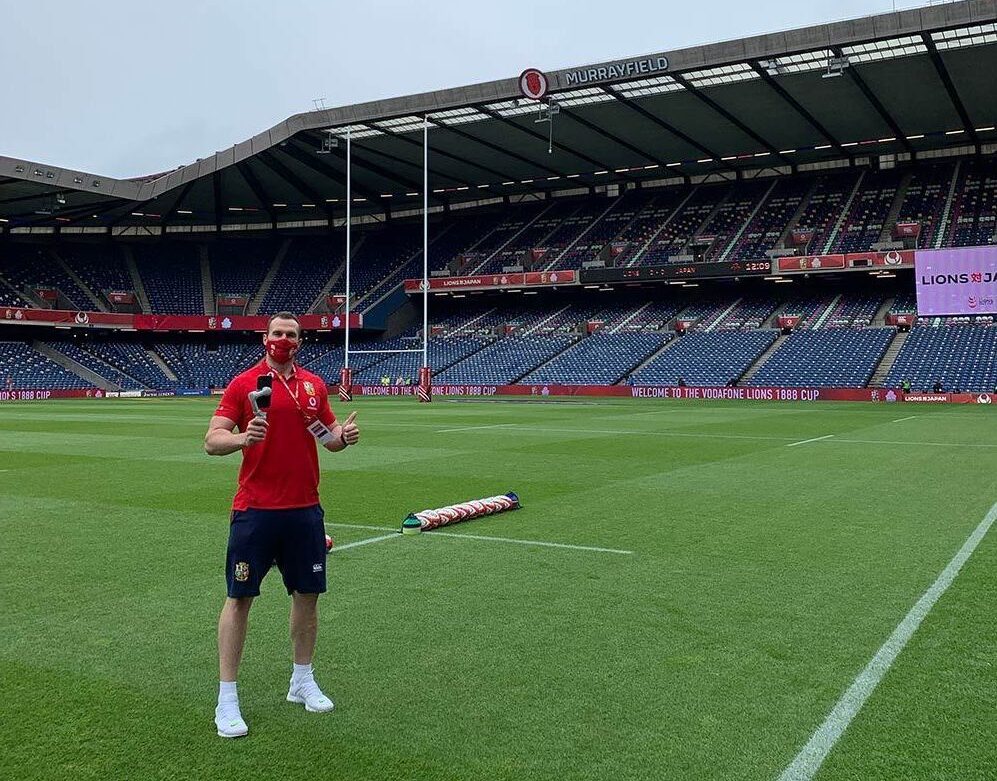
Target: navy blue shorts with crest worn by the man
293, 539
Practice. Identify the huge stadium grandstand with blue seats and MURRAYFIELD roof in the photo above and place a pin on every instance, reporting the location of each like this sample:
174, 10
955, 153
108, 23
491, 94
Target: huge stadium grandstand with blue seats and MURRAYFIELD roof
751, 212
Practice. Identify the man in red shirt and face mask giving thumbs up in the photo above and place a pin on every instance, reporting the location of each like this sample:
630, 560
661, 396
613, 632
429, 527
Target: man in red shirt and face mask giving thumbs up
276, 515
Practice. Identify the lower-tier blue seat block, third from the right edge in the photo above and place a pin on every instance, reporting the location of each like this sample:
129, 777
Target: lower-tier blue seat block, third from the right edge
713, 358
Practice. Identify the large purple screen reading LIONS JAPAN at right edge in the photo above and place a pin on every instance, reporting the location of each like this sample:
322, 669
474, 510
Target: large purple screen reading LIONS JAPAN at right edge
956, 281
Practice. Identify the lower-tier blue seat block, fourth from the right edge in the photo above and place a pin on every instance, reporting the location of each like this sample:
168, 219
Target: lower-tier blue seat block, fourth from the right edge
601, 359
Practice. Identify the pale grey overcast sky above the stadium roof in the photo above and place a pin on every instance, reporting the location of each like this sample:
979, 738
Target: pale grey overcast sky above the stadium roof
129, 87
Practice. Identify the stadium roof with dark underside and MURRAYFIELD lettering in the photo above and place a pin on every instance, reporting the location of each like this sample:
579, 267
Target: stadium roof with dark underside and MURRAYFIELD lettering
908, 82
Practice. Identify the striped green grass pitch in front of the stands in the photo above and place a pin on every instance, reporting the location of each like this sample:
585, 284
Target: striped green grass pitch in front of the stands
762, 579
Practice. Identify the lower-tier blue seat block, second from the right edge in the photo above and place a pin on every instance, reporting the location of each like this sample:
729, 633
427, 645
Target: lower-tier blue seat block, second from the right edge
845, 358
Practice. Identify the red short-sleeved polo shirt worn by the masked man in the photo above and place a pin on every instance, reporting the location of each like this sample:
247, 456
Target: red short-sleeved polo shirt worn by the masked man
282, 471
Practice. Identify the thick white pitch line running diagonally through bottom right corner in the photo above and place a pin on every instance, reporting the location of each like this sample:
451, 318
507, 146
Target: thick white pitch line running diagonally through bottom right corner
806, 764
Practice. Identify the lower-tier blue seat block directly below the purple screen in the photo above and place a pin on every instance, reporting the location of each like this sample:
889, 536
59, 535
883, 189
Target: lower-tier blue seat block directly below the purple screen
961, 357
